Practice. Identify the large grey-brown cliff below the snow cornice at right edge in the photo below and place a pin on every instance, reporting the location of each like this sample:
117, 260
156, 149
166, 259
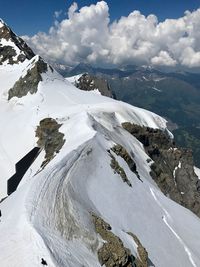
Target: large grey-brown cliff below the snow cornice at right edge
172, 169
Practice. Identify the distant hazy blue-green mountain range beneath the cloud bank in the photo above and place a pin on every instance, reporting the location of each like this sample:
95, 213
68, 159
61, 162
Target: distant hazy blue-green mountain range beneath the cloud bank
175, 96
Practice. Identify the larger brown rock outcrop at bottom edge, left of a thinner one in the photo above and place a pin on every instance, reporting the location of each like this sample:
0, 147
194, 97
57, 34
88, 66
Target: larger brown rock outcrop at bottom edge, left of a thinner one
112, 253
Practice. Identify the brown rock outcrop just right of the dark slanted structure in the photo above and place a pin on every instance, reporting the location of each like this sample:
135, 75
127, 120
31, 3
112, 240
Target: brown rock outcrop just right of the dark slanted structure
49, 138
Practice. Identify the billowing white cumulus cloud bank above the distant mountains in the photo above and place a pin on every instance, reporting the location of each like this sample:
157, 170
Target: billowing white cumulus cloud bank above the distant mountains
87, 35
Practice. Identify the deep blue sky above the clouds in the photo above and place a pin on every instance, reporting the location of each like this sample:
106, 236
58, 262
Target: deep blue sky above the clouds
30, 17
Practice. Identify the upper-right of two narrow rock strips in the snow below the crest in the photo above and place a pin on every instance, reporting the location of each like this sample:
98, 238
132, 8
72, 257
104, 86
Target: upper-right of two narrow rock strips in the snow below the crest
122, 152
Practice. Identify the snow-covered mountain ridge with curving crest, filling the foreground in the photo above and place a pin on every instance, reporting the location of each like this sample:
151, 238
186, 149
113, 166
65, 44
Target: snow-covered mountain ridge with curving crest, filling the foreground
88, 198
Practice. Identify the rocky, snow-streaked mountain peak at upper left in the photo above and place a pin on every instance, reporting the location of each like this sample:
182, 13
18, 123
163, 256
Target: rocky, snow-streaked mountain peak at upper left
18, 57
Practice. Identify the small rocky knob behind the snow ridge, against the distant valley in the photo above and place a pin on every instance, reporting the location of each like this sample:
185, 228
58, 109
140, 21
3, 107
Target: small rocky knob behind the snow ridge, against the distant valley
89, 82
